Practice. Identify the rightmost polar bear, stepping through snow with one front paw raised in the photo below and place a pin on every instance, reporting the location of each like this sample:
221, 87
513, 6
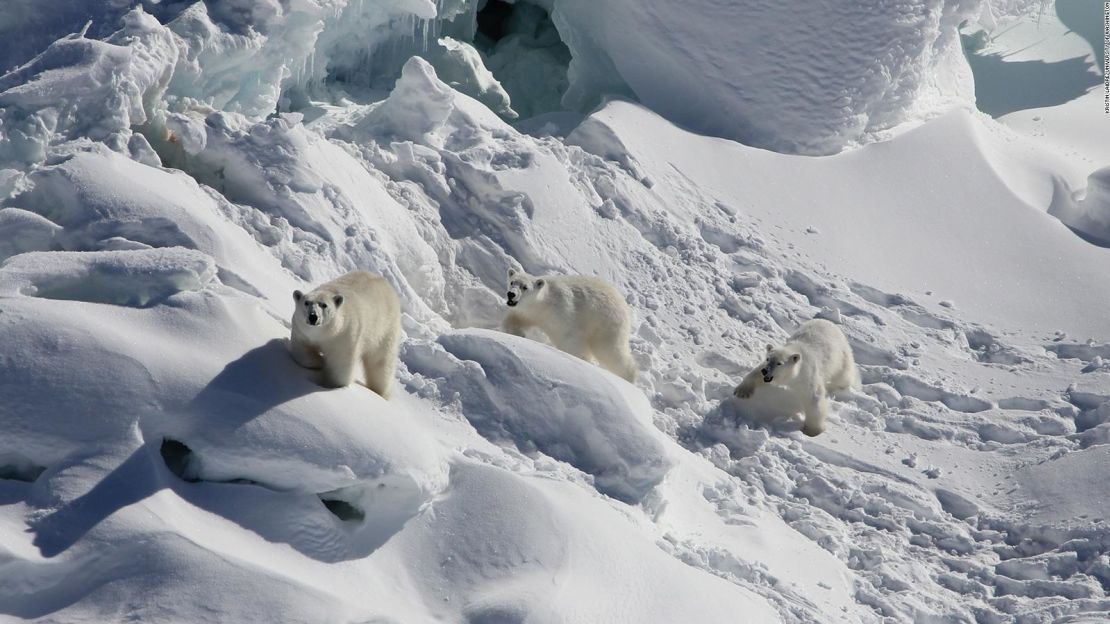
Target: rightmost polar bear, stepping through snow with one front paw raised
814, 363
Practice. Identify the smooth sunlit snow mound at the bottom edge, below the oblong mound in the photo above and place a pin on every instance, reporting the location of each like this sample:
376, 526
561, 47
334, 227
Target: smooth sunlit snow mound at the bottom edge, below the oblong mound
561, 555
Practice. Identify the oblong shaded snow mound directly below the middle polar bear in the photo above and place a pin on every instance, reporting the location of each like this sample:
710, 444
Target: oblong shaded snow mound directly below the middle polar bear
517, 390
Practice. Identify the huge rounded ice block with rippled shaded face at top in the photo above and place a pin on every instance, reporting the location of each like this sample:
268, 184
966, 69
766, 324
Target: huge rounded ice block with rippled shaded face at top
811, 82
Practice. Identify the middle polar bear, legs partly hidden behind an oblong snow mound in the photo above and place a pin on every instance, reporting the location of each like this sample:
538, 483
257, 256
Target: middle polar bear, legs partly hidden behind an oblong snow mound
582, 316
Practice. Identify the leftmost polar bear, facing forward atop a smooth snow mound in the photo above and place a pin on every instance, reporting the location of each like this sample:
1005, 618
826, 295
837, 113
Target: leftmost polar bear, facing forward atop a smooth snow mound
349, 323
